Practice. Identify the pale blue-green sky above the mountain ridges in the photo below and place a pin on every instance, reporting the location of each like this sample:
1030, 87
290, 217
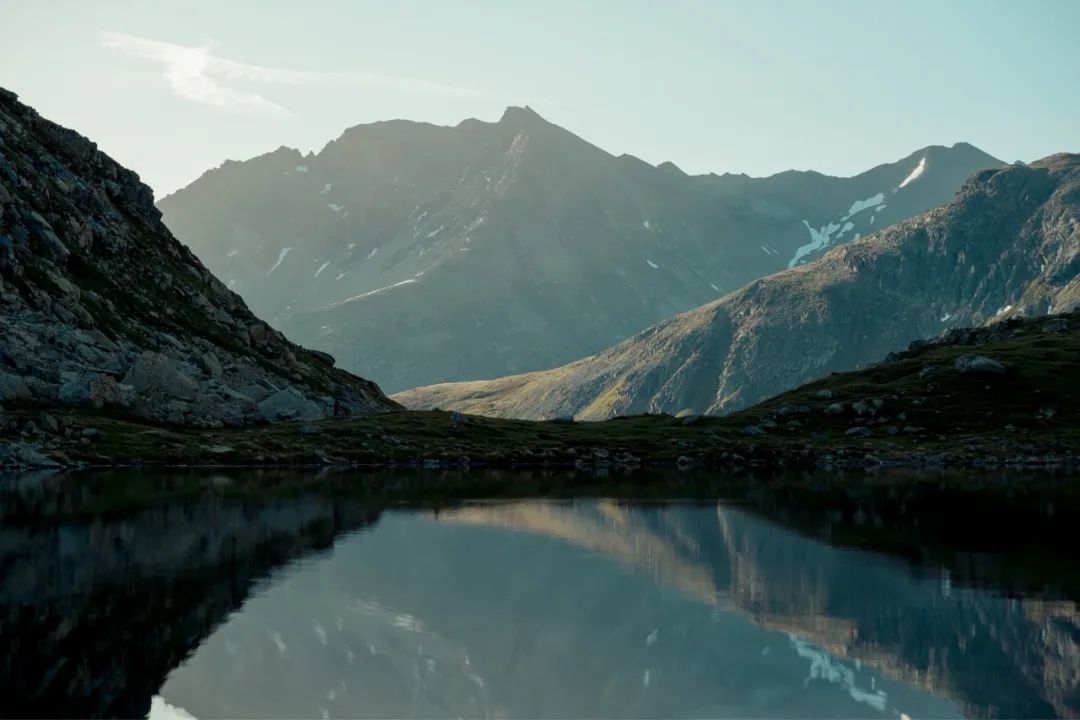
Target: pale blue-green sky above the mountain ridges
172, 89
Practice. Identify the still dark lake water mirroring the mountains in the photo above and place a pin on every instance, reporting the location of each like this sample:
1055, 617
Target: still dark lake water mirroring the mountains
802, 600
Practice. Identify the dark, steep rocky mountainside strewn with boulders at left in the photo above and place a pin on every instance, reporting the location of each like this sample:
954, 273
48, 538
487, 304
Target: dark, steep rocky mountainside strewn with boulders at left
102, 307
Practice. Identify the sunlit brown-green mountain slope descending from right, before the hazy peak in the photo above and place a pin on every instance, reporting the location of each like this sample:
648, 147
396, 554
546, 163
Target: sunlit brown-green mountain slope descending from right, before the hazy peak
1009, 244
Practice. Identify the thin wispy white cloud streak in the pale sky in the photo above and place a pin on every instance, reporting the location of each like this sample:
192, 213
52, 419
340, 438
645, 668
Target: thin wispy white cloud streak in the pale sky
196, 74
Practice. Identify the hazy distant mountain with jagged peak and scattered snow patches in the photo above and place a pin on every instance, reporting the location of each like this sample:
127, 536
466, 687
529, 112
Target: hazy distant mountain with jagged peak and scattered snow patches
418, 254
